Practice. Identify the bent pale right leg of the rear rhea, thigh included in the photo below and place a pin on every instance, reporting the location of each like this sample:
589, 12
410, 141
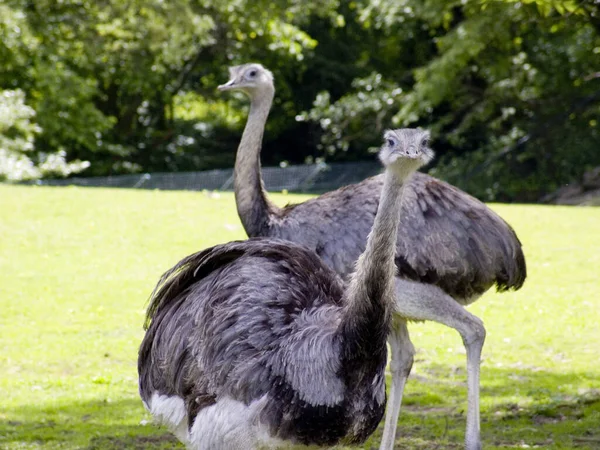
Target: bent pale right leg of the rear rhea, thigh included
420, 301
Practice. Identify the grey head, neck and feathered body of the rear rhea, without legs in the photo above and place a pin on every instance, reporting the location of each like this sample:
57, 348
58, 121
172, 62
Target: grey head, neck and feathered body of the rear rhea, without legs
445, 233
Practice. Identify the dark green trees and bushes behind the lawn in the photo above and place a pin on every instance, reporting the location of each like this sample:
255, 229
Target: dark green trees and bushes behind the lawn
510, 89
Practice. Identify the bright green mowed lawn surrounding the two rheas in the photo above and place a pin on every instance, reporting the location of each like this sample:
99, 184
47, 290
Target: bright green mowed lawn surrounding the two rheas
77, 266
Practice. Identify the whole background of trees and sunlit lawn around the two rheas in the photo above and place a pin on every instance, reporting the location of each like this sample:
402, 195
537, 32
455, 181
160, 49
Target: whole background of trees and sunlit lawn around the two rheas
123, 93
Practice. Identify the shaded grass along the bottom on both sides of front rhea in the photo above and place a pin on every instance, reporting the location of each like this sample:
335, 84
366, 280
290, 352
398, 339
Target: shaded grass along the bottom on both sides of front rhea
547, 411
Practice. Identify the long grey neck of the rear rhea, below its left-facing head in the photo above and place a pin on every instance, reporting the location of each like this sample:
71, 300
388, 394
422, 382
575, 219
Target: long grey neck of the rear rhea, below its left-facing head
254, 208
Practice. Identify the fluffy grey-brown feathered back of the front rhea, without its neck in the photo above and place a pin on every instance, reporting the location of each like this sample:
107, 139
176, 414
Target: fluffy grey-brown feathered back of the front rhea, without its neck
250, 323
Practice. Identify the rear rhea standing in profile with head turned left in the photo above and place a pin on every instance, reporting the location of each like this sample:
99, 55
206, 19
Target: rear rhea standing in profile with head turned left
451, 248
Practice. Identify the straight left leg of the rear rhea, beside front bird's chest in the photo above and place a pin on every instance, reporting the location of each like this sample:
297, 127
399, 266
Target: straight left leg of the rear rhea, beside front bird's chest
402, 352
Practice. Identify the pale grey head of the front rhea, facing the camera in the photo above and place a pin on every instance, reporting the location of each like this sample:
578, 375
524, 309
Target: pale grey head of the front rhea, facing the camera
406, 148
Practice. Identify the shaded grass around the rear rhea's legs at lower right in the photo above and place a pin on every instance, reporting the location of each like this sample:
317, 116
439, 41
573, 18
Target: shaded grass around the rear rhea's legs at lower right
547, 409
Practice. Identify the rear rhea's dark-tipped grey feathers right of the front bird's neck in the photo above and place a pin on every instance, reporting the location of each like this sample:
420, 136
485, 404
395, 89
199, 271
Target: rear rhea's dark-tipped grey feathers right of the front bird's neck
453, 240
